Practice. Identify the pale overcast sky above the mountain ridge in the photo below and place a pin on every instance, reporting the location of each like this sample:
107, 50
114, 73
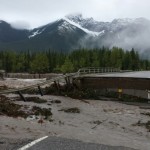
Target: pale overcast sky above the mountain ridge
34, 13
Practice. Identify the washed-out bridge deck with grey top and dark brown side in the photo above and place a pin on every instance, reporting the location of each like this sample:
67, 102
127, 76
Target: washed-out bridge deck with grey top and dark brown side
139, 80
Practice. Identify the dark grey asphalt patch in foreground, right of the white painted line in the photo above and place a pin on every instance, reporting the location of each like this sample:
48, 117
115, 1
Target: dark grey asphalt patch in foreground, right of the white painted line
53, 143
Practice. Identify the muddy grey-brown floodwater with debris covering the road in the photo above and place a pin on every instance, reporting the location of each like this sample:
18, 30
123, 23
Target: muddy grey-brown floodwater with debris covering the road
89, 121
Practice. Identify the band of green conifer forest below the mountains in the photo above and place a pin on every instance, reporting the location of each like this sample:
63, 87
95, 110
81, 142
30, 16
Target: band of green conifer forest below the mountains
51, 61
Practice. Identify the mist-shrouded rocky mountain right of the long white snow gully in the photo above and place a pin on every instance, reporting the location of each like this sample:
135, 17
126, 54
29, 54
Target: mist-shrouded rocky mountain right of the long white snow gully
126, 33
